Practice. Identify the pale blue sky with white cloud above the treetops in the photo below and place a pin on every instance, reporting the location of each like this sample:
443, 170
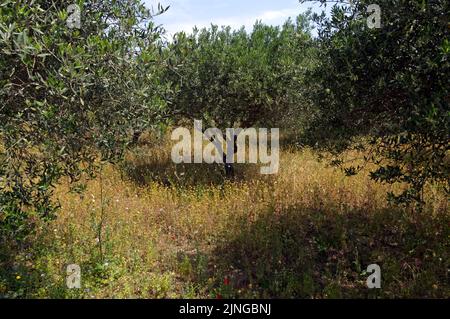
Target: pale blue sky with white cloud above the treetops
183, 15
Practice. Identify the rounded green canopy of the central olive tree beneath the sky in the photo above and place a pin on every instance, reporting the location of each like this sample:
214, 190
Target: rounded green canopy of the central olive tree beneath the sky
229, 78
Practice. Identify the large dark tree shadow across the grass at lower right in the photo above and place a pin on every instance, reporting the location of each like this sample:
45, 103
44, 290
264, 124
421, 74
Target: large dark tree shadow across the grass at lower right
304, 253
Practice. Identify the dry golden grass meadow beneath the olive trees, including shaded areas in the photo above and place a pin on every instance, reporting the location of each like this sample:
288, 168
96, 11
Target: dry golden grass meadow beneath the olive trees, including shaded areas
155, 229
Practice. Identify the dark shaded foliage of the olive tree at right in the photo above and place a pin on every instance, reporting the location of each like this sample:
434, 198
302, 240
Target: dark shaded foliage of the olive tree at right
389, 84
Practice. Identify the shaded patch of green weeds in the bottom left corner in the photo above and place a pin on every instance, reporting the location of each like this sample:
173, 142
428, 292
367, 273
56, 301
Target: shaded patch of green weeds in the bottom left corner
29, 271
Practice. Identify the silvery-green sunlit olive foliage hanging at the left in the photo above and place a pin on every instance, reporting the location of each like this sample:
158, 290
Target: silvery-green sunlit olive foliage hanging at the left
69, 95
